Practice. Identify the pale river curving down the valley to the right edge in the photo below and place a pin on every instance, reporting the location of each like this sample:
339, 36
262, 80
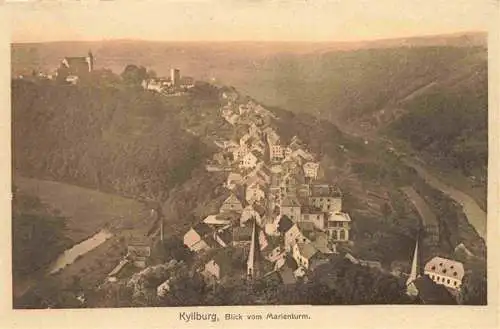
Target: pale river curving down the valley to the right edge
475, 215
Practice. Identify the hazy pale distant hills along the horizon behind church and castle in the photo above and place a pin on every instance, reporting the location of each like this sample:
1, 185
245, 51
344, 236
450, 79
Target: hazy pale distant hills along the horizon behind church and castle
230, 62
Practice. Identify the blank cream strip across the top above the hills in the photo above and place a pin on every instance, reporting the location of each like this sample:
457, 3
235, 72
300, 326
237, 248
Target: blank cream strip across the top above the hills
214, 20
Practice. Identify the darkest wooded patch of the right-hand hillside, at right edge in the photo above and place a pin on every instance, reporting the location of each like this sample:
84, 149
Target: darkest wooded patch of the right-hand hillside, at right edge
450, 124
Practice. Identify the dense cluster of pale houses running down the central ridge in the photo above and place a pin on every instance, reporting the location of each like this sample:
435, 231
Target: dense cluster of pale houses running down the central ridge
276, 208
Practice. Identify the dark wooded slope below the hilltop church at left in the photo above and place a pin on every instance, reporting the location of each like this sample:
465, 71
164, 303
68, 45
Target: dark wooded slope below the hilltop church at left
111, 138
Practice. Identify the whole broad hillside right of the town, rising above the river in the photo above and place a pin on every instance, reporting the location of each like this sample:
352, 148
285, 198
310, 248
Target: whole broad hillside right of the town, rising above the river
433, 99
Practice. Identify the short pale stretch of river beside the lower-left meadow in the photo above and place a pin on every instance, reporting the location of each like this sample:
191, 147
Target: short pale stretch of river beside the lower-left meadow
70, 255
